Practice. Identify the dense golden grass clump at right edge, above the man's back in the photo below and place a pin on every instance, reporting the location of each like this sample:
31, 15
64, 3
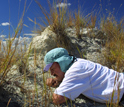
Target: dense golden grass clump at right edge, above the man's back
115, 42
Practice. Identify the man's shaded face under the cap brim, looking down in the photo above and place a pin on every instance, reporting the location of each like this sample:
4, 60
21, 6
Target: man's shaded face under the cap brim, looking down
56, 71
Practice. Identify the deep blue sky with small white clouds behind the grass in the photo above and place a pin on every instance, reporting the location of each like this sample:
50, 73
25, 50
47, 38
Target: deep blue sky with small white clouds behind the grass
12, 10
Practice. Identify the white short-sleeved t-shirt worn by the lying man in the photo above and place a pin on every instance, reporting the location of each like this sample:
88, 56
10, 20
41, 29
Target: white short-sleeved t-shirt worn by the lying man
93, 80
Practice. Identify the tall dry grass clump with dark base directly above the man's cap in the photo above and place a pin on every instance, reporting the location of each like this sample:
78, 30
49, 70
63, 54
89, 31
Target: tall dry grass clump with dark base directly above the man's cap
57, 19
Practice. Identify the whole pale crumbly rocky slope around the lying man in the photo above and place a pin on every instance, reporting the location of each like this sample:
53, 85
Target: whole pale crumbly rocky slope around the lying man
25, 82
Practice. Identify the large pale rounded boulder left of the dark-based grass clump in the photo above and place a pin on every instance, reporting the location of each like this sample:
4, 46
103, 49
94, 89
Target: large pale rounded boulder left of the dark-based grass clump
43, 42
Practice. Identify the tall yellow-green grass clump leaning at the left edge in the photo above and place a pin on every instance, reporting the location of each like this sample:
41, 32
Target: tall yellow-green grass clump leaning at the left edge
9, 58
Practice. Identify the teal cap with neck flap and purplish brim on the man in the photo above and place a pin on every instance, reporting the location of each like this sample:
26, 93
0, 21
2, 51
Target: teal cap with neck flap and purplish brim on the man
59, 55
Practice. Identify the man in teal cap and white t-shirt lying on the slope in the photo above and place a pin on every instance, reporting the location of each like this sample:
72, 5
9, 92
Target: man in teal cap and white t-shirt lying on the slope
79, 76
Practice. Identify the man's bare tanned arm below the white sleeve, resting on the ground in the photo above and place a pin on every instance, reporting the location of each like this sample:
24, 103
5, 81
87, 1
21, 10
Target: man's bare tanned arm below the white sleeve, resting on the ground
58, 99
